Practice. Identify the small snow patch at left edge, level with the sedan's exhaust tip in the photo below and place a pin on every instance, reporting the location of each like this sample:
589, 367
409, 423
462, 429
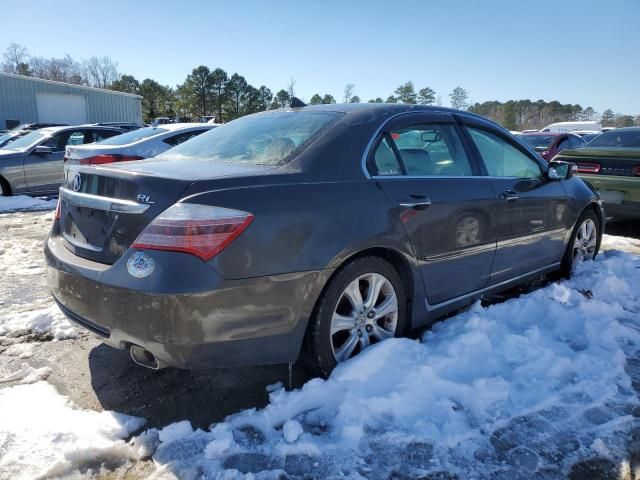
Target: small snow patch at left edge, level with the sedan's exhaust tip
45, 321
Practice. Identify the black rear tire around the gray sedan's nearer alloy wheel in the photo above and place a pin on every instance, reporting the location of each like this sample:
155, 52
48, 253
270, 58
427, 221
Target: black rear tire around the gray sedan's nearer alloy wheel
320, 356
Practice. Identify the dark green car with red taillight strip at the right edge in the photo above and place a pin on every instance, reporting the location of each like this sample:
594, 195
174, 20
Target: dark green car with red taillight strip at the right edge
611, 163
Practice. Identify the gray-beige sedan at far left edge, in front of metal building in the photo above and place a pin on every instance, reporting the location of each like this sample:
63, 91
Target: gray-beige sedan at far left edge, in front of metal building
33, 164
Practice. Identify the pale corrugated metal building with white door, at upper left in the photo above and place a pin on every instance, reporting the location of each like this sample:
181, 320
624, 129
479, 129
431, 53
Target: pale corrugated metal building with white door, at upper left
33, 100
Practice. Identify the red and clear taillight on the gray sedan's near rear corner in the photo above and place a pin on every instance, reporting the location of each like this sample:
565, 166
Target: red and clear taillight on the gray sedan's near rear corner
201, 230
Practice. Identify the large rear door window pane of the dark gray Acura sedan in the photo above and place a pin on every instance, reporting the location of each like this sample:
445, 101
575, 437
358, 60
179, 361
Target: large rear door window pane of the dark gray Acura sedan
432, 149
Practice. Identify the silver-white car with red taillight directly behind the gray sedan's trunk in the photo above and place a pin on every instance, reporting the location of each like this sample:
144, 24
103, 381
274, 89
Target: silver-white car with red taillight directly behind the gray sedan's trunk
135, 145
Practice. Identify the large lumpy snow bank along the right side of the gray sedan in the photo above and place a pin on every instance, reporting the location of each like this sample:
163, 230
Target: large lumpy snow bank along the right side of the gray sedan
528, 386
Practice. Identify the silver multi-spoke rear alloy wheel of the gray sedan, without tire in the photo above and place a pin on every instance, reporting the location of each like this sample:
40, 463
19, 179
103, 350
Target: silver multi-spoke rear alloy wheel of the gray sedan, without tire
366, 313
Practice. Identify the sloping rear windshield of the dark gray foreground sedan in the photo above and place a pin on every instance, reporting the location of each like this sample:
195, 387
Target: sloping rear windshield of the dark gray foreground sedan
273, 139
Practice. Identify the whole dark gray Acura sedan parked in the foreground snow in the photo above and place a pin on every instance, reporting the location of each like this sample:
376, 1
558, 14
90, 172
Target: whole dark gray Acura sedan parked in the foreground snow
320, 230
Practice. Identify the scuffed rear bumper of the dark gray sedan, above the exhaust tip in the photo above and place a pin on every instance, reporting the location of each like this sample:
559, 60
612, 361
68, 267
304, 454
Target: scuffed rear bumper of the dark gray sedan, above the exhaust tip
219, 323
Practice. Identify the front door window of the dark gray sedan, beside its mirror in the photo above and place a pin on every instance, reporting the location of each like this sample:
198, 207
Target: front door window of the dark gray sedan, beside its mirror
503, 159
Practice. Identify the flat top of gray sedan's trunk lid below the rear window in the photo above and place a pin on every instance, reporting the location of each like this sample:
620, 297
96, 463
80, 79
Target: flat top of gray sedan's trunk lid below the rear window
193, 170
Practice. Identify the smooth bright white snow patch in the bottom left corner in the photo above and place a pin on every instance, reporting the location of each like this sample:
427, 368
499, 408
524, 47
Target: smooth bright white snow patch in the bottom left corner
37, 442
